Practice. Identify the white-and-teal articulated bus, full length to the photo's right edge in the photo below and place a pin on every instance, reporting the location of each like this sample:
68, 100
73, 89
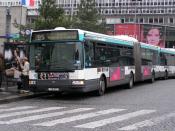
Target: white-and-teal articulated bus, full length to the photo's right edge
74, 60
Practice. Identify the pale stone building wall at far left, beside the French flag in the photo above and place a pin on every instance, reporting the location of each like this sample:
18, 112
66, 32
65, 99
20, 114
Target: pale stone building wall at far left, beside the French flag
8, 16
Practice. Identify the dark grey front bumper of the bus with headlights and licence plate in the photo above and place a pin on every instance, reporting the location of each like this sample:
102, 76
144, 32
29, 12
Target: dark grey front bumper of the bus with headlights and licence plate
62, 85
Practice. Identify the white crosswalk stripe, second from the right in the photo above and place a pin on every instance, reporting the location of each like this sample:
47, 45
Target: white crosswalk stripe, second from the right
111, 120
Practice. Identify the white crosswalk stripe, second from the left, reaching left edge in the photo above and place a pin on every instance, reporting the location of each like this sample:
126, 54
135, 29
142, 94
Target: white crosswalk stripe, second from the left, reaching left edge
29, 112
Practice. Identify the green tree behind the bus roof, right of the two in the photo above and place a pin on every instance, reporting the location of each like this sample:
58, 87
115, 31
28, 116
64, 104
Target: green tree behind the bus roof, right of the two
88, 17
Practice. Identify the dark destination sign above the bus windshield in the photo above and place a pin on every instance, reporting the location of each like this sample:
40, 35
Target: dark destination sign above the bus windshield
55, 35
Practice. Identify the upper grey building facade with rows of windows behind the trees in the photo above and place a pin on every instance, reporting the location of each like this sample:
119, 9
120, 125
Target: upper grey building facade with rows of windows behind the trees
129, 11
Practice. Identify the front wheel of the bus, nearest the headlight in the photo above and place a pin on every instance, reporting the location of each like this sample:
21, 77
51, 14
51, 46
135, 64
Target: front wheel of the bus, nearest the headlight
101, 87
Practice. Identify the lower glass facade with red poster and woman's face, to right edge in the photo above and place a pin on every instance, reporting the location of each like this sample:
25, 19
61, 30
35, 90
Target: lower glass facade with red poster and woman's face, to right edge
159, 35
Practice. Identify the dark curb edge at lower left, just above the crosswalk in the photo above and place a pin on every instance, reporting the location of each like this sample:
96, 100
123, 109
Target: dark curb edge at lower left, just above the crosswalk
21, 97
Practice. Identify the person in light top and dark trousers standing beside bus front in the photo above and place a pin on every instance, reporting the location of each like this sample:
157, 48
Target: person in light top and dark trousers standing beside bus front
25, 73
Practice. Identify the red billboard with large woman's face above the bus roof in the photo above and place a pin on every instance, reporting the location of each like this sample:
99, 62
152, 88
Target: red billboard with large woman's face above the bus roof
150, 34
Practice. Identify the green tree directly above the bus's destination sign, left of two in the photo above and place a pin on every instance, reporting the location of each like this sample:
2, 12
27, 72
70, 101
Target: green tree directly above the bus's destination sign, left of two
50, 16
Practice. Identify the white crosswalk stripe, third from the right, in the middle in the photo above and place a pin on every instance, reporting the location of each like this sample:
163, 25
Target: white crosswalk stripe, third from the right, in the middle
79, 117
